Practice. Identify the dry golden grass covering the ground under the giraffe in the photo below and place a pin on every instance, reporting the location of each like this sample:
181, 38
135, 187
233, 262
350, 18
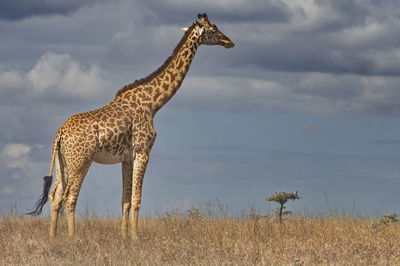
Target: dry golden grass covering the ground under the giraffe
178, 240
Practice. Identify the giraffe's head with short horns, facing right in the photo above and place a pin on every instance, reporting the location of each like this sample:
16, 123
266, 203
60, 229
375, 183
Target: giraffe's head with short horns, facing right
210, 35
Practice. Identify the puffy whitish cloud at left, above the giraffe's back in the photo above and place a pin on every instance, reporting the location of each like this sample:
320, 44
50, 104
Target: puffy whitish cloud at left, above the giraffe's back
55, 77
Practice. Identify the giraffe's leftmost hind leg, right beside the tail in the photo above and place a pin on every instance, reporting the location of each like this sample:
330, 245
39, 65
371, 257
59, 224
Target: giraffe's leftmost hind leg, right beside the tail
56, 196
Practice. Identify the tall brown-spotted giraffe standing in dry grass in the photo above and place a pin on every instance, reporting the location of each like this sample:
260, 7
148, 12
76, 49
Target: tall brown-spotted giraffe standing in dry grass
120, 132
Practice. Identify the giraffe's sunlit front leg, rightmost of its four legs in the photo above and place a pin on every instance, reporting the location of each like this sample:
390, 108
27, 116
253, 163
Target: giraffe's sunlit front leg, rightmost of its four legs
139, 169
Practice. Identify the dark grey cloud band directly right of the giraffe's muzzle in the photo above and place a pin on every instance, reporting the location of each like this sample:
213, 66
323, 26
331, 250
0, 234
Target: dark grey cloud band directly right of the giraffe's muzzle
305, 55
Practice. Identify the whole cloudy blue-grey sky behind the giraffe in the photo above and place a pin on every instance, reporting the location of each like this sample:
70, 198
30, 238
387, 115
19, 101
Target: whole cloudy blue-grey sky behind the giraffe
308, 100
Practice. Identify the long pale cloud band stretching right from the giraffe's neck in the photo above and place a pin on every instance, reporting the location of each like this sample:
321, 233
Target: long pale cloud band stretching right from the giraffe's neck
312, 93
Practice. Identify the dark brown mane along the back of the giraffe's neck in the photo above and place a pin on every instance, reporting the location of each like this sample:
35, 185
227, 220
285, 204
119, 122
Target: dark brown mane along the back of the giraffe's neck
152, 75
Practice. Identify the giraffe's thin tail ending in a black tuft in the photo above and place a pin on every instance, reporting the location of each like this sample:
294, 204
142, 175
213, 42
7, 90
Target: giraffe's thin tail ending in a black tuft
47, 180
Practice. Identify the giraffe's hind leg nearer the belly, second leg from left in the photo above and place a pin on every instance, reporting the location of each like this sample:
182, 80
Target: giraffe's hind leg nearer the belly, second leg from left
75, 179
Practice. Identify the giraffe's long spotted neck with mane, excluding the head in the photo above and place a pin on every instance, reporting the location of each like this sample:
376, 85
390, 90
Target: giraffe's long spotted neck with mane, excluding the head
158, 88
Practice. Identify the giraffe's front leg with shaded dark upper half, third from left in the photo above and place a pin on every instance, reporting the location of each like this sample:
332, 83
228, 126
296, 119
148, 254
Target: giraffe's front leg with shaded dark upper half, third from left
127, 168
